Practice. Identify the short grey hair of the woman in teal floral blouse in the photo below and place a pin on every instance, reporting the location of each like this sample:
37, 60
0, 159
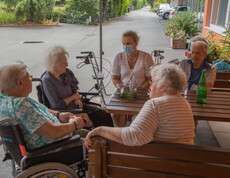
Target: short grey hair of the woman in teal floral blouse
10, 73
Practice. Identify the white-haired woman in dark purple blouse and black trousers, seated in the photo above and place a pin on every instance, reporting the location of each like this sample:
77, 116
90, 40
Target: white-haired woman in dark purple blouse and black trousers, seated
61, 86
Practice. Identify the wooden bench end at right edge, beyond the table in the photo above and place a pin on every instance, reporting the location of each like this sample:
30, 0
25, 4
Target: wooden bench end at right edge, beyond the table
222, 82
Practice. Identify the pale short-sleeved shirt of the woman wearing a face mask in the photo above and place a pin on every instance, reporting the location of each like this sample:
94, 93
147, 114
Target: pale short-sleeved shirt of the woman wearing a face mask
138, 73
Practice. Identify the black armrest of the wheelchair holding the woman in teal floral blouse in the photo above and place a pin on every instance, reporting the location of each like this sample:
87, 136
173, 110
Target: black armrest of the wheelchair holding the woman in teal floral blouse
53, 146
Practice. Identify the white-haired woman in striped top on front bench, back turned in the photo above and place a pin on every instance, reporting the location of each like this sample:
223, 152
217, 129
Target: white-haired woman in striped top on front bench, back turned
166, 116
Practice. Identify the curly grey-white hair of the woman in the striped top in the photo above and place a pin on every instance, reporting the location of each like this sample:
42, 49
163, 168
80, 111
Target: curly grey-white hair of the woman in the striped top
169, 75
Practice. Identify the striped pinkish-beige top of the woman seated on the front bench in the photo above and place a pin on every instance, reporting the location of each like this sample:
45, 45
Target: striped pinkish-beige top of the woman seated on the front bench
168, 118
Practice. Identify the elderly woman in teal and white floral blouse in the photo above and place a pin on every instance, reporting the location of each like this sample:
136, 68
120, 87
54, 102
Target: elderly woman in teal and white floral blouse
40, 126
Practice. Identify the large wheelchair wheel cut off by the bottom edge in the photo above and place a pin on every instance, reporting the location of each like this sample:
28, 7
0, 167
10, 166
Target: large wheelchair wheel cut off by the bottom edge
48, 170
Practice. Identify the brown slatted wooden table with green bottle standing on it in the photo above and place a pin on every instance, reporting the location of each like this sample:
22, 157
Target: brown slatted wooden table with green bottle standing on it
217, 107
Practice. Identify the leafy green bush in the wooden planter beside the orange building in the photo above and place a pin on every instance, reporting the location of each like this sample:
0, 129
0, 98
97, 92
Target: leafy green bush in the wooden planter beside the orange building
186, 21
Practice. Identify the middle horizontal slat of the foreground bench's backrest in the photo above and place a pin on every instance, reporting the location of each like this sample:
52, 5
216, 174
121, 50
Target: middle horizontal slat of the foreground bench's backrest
167, 166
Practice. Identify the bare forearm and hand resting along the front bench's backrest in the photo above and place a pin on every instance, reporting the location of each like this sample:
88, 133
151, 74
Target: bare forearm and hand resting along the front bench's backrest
110, 133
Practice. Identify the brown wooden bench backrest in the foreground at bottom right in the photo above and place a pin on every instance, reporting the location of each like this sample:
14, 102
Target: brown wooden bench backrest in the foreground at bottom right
157, 159
